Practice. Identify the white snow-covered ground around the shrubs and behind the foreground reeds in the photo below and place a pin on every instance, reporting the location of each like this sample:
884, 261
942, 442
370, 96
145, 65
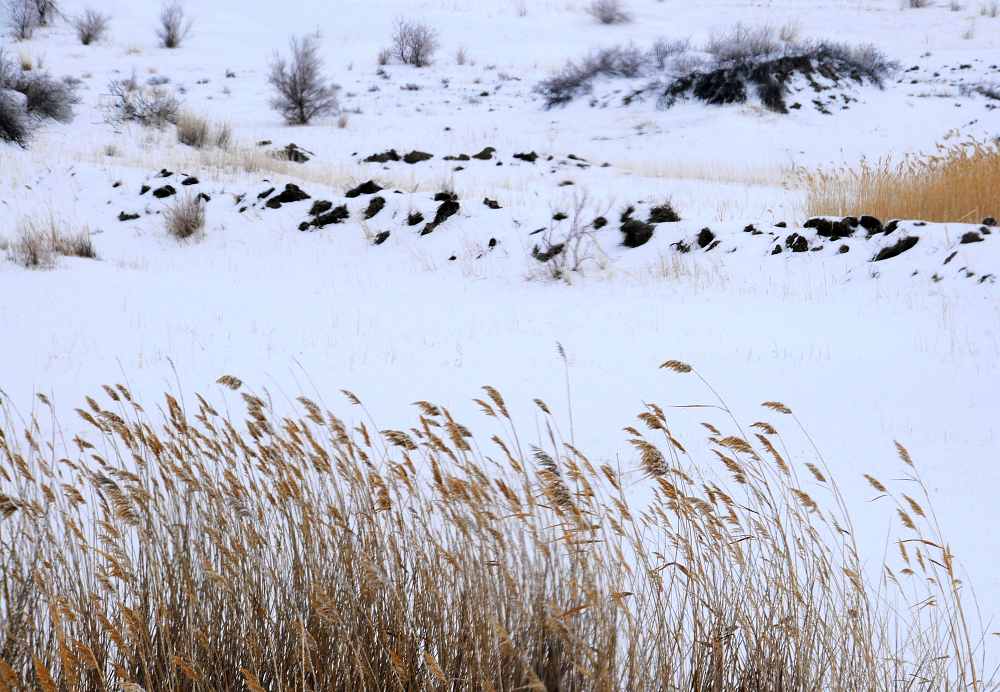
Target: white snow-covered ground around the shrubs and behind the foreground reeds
866, 353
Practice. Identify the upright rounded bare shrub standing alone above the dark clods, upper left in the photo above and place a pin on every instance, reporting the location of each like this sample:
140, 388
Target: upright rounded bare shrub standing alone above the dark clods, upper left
301, 91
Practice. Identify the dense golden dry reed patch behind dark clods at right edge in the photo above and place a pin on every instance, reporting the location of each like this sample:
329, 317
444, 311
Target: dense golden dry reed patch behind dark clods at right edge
958, 184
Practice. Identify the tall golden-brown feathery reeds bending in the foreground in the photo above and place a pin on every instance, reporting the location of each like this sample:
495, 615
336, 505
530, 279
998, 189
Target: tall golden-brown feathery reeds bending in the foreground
189, 551
